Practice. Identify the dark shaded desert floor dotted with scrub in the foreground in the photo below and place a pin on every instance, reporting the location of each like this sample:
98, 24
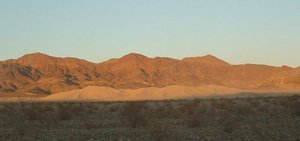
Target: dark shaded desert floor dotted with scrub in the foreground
221, 119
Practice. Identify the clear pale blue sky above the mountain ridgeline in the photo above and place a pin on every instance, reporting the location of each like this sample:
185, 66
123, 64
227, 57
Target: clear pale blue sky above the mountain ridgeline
237, 31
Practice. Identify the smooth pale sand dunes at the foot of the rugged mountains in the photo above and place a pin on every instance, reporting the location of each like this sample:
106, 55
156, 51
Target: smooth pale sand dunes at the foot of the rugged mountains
152, 93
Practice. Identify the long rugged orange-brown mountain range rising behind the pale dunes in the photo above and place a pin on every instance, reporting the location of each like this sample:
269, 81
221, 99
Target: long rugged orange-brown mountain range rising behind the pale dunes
44, 74
